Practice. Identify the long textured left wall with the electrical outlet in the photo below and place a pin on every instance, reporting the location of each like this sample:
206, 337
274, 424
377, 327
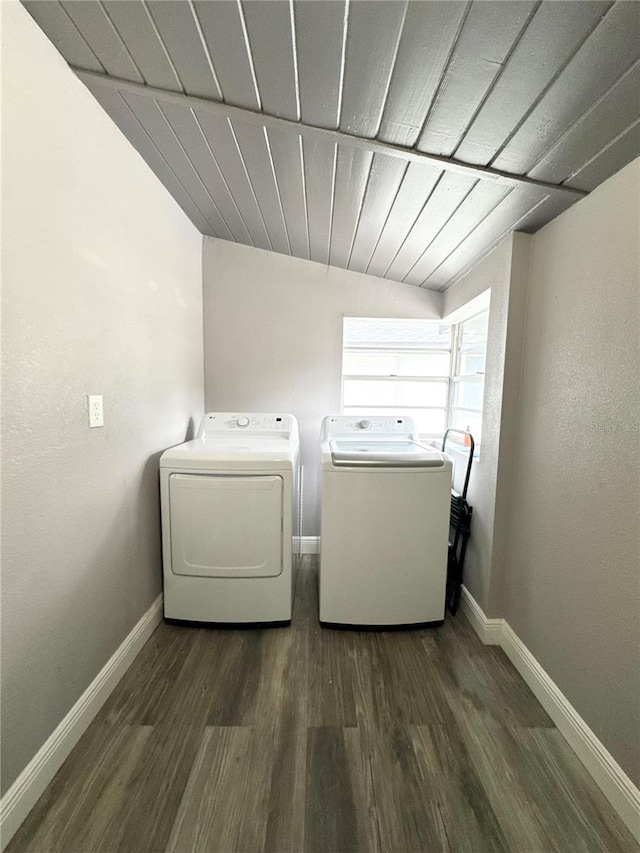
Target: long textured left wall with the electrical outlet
101, 294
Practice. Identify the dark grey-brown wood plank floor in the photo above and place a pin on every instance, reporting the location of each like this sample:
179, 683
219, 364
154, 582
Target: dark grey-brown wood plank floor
313, 740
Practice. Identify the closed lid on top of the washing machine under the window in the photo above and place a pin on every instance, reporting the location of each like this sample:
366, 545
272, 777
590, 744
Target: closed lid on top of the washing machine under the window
384, 454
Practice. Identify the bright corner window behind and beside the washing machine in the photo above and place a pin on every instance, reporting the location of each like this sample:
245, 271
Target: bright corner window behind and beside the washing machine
430, 371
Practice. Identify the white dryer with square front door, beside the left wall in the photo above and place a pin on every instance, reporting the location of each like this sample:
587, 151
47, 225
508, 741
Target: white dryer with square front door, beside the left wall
230, 520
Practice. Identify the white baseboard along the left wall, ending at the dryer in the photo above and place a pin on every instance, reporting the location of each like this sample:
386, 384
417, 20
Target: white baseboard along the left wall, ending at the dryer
31, 783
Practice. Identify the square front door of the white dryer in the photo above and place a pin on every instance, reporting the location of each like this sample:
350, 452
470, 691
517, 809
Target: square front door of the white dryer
226, 526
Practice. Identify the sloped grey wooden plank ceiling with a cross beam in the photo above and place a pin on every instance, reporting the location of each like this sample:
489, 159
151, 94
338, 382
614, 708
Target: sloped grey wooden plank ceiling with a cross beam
402, 139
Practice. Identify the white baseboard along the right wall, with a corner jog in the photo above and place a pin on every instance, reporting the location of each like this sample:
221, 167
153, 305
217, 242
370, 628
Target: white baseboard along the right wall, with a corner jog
614, 783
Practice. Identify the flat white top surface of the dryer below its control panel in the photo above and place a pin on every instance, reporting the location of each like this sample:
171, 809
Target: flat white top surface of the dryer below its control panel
233, 453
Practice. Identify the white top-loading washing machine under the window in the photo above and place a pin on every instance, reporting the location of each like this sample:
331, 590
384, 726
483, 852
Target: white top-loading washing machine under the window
384, 523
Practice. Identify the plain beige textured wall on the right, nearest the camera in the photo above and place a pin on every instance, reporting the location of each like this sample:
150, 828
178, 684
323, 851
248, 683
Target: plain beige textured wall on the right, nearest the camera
574, 563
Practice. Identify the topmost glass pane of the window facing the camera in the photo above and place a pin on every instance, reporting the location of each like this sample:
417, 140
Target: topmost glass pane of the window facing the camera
390, 333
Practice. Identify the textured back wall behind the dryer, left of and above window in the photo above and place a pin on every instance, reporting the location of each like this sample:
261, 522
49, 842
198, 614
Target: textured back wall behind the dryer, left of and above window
273, 337
